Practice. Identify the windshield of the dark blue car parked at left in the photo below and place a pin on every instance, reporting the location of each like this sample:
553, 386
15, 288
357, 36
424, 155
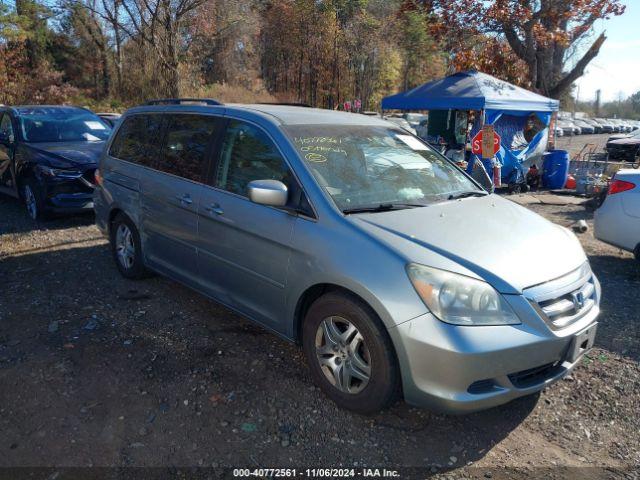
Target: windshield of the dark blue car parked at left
61, 124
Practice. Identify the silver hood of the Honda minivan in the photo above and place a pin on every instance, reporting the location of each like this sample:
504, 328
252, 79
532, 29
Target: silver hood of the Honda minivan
494, 239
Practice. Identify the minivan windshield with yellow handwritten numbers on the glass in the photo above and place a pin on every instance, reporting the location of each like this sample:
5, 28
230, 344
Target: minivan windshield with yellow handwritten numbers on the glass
367, 166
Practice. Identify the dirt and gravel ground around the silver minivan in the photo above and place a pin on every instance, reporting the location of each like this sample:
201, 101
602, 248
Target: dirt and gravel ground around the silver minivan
96, 370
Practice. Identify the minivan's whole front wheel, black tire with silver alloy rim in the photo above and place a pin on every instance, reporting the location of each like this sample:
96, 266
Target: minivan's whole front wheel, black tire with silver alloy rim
373, 348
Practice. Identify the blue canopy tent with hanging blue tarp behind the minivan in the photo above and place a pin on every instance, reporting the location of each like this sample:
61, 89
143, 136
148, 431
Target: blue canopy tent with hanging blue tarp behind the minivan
474, 90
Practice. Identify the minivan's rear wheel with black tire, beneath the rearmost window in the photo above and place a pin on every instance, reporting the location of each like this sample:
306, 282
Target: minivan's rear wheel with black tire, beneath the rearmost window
126, 248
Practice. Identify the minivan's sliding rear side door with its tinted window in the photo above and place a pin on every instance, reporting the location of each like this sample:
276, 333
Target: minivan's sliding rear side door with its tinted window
171, 193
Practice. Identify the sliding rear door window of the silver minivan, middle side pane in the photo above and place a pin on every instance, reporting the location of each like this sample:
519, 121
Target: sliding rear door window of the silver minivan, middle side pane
185, 148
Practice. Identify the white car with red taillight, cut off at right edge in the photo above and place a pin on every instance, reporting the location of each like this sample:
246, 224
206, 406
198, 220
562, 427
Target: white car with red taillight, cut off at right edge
617, 221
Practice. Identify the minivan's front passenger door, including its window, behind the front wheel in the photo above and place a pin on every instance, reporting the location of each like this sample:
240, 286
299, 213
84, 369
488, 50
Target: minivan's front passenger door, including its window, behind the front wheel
243, 247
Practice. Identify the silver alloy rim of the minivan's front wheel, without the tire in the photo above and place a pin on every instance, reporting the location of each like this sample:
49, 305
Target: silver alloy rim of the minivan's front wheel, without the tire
343, 355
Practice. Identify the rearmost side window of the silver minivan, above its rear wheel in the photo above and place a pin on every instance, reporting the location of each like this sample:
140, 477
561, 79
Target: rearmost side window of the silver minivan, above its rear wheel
138, 140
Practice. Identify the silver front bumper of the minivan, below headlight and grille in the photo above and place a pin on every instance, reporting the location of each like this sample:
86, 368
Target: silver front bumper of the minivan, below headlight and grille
461, 369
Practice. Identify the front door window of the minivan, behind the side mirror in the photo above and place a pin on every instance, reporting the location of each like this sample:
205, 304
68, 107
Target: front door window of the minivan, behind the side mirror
248, 154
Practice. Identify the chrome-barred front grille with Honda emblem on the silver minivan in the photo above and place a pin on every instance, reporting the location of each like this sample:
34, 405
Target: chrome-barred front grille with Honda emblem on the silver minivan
563, 301
